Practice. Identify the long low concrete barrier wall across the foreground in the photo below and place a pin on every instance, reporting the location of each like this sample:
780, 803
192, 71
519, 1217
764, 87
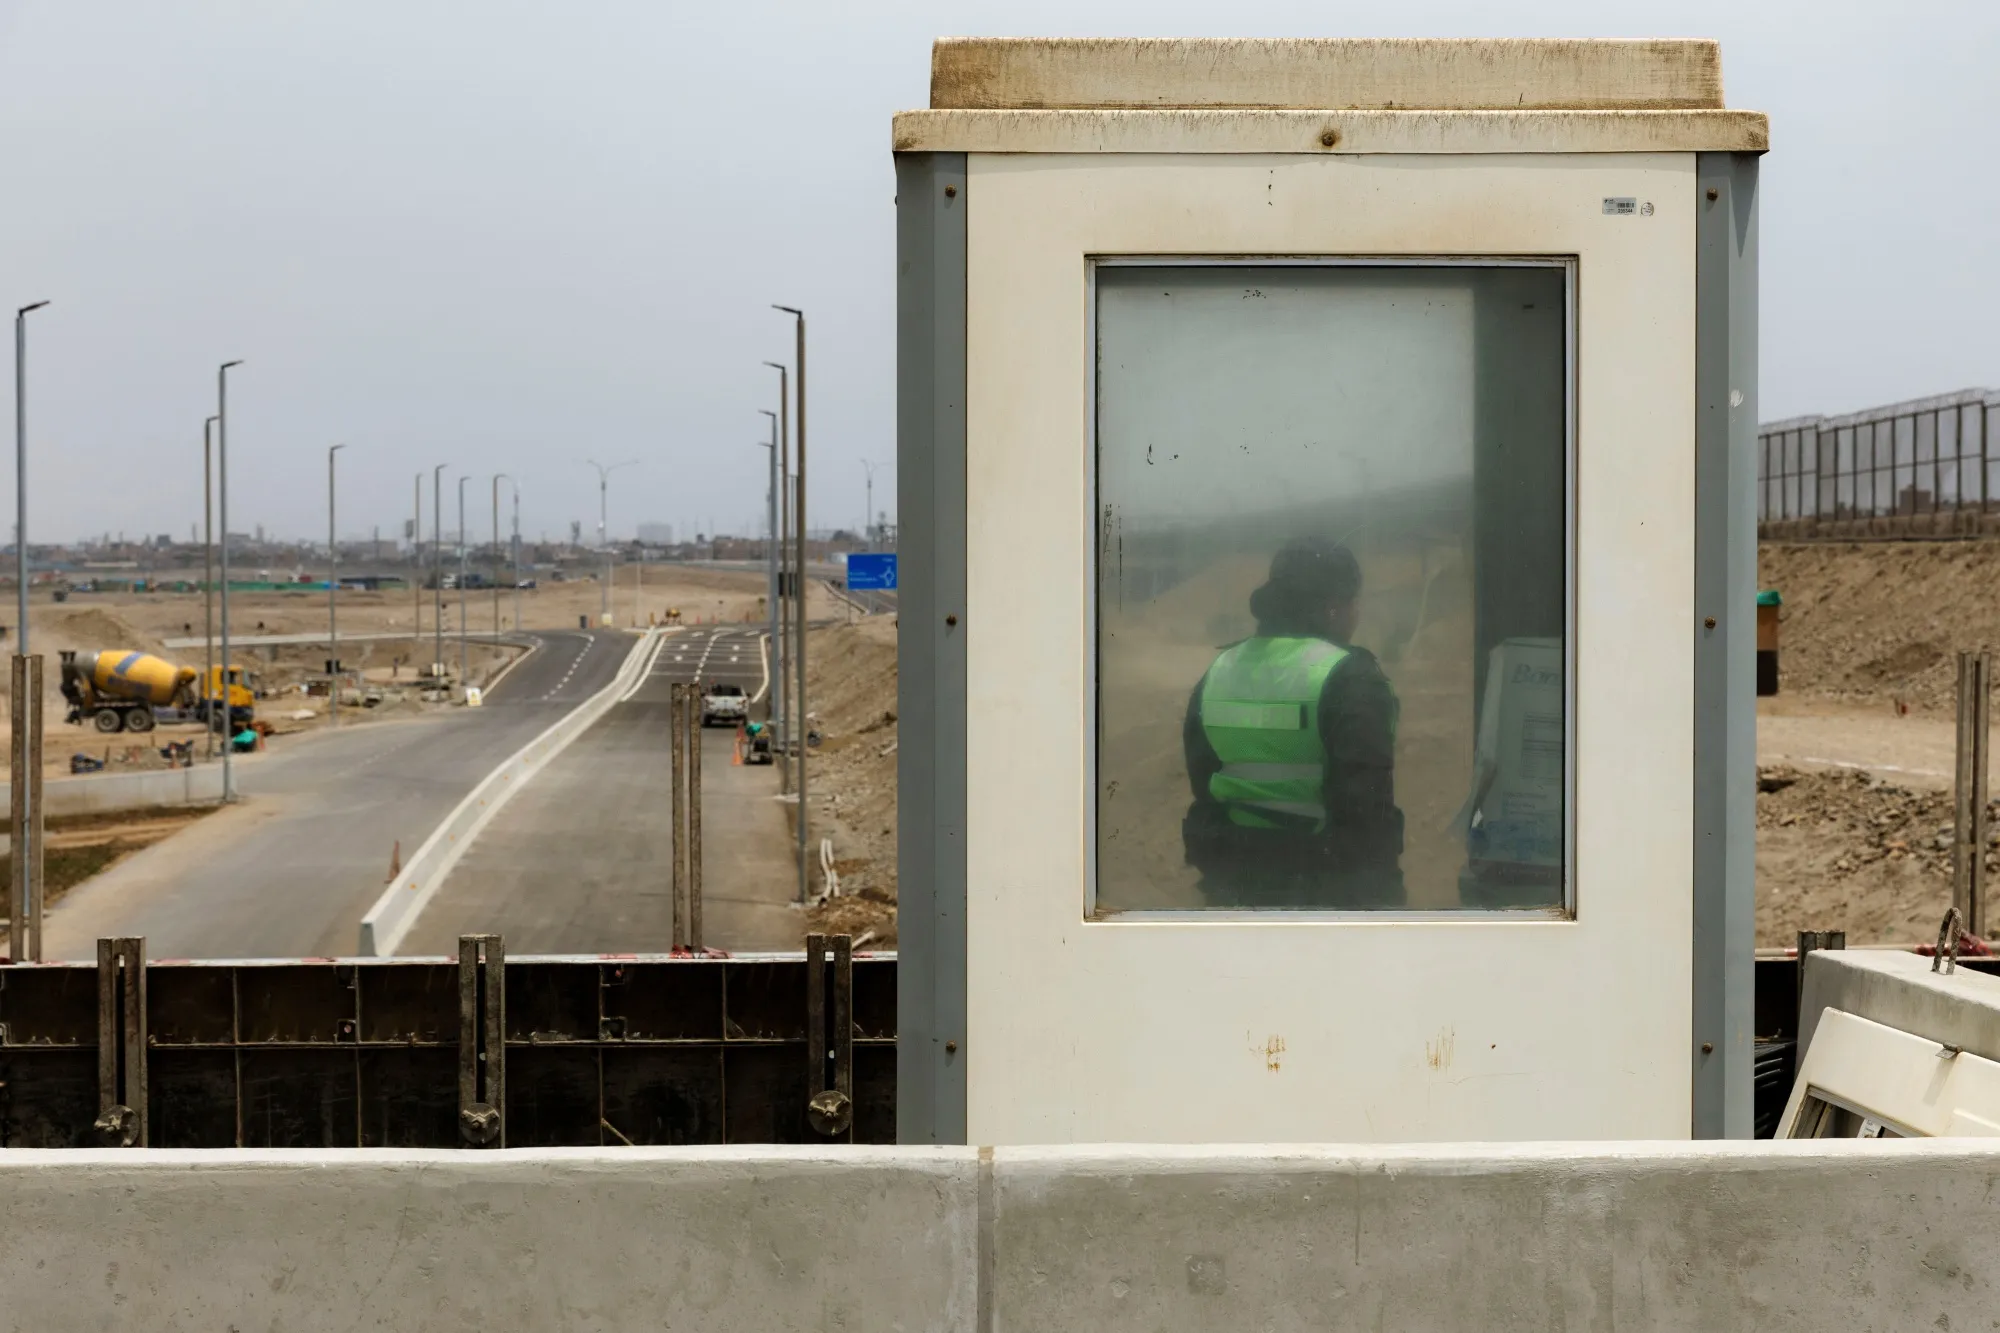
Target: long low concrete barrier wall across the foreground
1799, 1236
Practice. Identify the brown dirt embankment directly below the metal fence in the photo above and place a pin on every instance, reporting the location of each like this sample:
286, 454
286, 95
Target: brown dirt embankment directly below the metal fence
1881, 621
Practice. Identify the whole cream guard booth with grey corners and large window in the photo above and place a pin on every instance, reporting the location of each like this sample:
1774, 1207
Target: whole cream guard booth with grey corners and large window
1327, 593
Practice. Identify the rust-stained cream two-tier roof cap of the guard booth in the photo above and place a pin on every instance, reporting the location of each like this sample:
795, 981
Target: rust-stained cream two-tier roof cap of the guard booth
1259, 95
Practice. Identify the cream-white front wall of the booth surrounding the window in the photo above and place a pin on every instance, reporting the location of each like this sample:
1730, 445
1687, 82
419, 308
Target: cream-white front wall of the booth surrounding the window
1287, 1028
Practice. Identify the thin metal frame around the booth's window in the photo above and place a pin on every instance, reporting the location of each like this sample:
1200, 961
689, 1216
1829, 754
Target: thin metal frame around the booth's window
1567, 910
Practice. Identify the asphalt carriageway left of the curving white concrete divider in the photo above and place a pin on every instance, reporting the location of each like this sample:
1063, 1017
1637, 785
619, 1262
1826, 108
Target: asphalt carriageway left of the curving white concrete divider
293, 870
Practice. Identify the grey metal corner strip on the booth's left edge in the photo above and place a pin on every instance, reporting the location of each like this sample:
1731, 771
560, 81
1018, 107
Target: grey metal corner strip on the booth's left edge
931, 647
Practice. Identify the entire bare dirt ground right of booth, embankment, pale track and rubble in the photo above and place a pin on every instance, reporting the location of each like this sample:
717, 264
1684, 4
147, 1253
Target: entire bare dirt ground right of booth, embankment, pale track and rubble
1857, 752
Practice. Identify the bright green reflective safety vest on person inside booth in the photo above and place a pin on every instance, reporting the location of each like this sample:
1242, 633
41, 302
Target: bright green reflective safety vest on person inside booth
1261, 712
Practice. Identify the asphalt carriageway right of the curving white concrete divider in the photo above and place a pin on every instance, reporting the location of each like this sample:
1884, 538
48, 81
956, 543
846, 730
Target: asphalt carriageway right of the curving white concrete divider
581, 860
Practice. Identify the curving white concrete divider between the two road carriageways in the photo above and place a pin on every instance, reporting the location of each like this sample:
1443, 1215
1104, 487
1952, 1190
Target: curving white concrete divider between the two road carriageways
403, 902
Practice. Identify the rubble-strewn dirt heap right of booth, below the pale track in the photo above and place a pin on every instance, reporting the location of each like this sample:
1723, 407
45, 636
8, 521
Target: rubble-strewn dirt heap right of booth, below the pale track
1849, 852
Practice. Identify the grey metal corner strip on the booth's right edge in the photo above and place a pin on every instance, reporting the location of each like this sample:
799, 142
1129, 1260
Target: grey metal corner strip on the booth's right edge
1725, 637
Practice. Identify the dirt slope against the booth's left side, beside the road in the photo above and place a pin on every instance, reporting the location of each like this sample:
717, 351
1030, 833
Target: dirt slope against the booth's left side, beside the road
851, 678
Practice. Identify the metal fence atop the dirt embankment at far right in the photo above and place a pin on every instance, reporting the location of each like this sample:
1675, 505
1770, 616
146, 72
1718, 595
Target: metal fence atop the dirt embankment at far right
1929, 467
